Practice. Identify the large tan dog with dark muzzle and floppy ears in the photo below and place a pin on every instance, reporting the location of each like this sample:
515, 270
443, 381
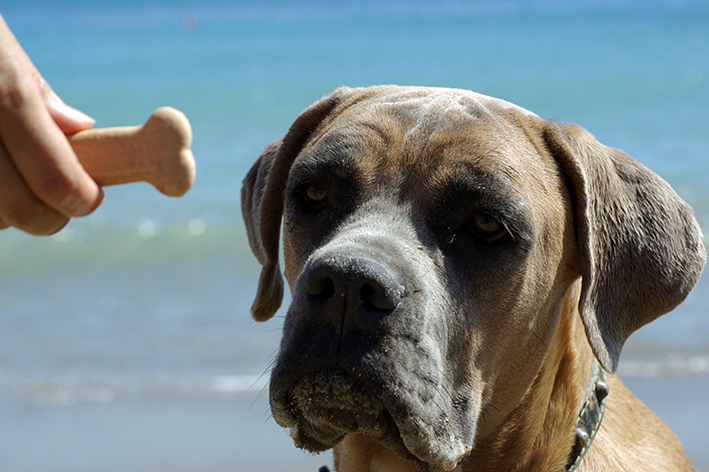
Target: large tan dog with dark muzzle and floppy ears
456, 265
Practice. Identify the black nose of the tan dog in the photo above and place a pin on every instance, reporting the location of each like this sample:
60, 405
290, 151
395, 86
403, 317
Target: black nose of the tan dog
356, 287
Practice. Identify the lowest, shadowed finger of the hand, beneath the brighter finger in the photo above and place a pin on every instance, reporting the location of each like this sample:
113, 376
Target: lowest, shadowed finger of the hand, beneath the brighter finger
20, 208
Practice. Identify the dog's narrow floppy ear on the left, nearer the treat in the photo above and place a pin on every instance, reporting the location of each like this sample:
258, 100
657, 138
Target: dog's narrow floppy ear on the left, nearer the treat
262, 198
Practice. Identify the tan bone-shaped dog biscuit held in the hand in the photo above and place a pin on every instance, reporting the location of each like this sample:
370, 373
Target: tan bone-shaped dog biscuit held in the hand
157, 152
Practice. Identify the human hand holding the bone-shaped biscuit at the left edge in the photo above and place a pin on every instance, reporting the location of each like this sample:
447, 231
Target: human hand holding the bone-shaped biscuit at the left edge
42, 183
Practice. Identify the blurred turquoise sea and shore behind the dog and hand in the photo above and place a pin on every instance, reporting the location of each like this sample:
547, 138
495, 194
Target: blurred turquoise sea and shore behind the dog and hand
125, 339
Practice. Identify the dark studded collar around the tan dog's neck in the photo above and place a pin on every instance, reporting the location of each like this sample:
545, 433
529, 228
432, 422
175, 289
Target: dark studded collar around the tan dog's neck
589, 419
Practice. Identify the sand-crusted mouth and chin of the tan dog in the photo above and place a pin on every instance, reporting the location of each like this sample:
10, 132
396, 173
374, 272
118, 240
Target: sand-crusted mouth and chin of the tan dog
321, 408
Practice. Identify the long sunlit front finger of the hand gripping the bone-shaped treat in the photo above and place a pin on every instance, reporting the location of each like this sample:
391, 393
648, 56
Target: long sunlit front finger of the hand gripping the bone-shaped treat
40, 151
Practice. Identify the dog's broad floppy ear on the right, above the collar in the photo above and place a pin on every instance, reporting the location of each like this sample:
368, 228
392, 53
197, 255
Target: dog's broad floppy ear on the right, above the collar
641, 249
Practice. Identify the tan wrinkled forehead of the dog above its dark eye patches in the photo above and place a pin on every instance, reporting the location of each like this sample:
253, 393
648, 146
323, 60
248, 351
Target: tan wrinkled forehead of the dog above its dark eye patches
415, 133
